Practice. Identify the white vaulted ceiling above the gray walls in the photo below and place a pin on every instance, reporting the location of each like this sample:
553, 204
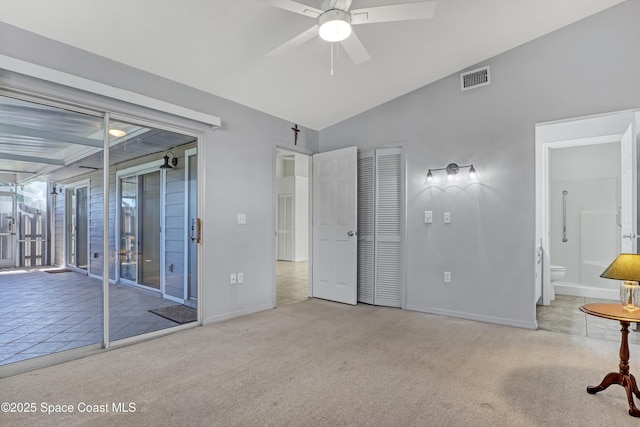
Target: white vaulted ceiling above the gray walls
221, 46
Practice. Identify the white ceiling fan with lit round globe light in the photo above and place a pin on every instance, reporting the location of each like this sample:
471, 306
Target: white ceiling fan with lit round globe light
335, 21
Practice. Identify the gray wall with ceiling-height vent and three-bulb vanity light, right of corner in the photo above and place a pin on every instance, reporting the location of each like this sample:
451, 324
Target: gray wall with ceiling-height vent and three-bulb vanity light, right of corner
587, 68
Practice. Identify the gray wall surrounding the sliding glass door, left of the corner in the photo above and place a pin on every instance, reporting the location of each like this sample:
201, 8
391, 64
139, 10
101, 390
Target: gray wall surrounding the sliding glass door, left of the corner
238, 164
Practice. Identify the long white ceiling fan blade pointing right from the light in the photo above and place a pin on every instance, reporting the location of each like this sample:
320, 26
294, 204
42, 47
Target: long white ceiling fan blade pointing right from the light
395, 12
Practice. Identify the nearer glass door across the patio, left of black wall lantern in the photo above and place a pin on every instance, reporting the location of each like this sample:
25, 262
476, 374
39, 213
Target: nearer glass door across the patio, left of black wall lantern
140, 229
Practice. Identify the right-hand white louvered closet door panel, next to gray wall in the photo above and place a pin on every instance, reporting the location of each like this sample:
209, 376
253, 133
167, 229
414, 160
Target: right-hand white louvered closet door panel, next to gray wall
388, 219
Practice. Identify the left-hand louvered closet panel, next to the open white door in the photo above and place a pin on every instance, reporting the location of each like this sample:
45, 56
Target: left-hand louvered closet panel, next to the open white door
366, 217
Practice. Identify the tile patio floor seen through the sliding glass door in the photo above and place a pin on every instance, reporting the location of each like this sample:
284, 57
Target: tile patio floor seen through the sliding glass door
43, 313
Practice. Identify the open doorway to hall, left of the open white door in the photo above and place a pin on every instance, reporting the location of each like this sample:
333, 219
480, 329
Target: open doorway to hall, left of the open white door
292, 226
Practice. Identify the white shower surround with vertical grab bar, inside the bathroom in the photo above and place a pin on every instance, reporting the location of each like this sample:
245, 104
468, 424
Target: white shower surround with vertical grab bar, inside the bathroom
585, 235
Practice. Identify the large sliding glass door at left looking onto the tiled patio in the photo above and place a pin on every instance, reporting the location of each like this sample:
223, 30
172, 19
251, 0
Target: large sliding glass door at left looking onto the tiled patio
111, 199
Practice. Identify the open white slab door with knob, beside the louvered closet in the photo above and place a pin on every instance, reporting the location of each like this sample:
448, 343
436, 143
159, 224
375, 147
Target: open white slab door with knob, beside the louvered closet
334, 225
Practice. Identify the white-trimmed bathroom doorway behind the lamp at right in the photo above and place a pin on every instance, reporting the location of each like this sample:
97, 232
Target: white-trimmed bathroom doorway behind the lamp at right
586, 202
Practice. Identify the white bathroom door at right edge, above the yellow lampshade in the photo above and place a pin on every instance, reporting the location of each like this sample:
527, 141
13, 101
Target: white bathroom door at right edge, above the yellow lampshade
627, 213
